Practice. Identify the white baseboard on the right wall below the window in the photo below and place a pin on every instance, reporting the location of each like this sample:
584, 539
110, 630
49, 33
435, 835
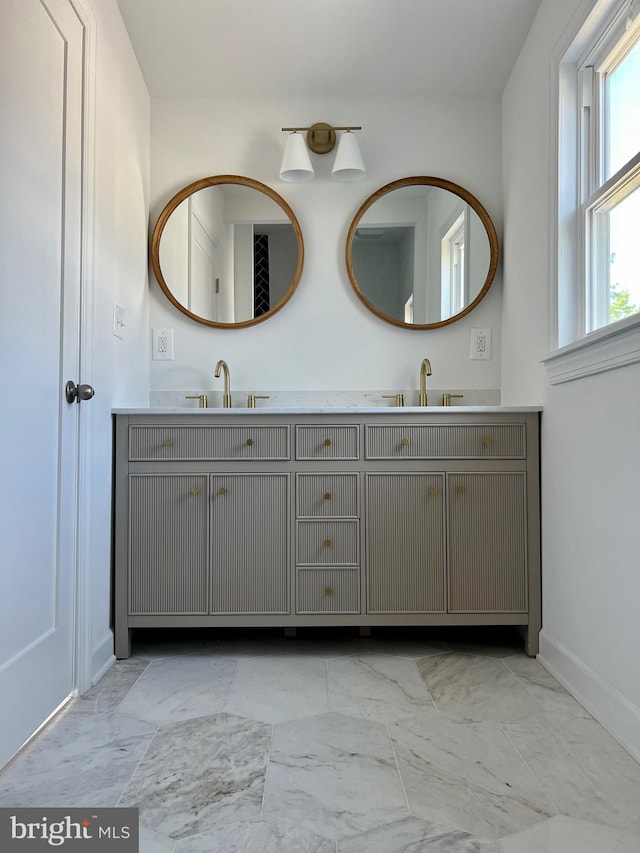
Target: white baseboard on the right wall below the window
619, 716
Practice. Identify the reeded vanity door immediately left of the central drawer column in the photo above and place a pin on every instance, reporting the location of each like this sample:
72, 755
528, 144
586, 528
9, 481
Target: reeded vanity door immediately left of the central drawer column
250, 564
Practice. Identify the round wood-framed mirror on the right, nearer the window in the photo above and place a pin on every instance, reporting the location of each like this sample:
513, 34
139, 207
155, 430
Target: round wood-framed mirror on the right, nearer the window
421, 252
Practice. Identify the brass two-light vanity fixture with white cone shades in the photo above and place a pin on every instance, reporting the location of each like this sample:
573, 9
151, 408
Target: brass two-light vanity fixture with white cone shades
321, 138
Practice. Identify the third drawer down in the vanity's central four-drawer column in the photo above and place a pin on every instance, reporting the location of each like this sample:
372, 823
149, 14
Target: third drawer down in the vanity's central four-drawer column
327, 543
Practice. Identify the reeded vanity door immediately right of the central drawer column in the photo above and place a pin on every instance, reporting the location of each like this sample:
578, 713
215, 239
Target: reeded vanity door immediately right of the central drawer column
405, 543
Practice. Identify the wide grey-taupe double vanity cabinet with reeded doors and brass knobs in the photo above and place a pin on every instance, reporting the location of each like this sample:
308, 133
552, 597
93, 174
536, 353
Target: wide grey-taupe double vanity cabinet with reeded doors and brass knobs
358, 517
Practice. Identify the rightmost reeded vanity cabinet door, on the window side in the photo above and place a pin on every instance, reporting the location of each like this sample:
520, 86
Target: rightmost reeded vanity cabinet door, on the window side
487, 542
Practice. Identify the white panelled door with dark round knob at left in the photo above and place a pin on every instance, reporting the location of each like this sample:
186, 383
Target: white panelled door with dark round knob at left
41, 71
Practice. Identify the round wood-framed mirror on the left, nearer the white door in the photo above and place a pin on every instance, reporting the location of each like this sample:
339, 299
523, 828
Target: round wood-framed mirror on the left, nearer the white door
227, 251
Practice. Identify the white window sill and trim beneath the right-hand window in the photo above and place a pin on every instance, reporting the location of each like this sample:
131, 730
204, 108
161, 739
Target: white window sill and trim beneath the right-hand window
605, 349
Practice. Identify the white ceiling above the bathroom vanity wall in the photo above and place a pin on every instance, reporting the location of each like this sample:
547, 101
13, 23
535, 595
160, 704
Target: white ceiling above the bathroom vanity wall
202, 48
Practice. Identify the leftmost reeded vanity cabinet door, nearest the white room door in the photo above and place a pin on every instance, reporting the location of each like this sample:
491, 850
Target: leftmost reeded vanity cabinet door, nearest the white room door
168, 540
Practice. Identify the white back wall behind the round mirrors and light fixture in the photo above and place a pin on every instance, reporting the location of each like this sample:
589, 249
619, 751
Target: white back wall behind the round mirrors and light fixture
324, 338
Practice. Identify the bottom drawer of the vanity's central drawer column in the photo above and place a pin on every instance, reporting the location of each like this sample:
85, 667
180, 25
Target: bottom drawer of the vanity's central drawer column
328, 591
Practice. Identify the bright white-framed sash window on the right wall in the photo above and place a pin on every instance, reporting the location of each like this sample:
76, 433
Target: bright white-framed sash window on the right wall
610, 191
